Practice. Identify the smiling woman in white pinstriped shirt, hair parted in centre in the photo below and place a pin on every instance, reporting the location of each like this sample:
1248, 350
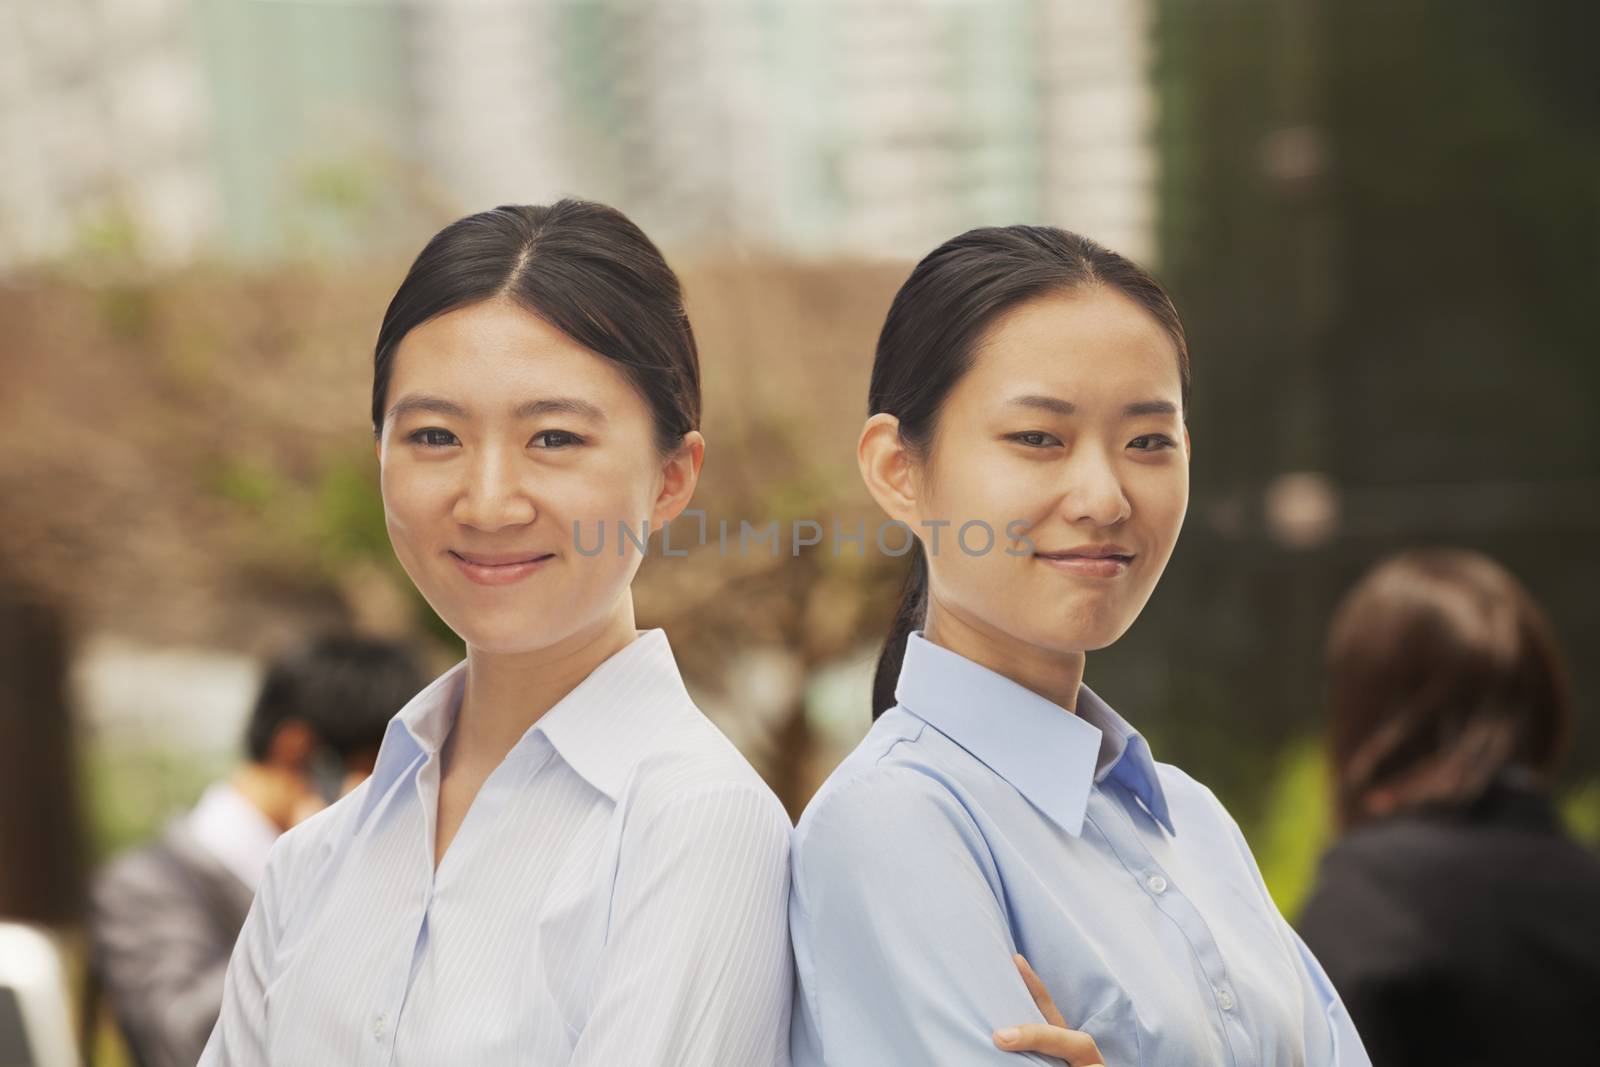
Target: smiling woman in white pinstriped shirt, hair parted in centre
559, 860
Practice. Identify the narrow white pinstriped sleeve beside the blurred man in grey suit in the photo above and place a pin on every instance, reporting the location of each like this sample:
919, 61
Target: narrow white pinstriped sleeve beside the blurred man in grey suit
241, 1034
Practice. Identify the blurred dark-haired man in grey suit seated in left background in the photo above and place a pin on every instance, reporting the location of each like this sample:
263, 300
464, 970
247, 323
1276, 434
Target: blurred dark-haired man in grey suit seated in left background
166, 917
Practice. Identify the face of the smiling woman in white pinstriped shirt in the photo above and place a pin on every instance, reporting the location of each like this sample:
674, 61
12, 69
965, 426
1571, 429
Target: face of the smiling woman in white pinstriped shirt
500, 434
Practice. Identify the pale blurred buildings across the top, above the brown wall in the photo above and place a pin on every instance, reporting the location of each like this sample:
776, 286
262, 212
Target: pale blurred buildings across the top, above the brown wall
263, 129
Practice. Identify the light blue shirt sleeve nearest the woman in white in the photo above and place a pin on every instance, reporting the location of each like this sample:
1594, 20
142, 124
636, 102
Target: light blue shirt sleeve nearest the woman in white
902, 940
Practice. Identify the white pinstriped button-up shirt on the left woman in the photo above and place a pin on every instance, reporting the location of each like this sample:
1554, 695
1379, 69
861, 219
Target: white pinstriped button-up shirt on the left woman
615, 895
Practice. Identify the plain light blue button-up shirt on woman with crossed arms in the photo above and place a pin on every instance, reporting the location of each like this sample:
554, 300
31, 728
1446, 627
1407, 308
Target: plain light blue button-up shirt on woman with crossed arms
978, 820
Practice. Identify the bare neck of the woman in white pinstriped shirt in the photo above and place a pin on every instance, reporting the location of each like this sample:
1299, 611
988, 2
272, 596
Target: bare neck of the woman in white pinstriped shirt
506, 693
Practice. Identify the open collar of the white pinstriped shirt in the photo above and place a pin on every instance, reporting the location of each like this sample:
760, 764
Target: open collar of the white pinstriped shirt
604, 727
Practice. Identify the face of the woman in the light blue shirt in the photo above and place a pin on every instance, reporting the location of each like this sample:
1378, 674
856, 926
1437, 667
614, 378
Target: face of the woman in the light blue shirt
1066, 438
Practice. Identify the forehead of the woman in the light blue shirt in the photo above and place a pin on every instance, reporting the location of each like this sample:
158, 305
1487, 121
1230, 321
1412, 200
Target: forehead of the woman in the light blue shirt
1079, 346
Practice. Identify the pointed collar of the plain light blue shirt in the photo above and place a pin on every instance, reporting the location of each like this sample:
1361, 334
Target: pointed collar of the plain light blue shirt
1052, 756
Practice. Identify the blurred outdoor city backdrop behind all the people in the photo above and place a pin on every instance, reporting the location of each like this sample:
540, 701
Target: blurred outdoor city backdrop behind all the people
1382, 222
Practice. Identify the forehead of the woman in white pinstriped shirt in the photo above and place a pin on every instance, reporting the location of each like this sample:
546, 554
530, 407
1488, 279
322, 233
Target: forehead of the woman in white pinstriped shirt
495, 346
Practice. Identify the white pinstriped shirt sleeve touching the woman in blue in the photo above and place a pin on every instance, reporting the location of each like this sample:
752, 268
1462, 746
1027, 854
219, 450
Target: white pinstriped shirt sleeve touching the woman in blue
697, 965
